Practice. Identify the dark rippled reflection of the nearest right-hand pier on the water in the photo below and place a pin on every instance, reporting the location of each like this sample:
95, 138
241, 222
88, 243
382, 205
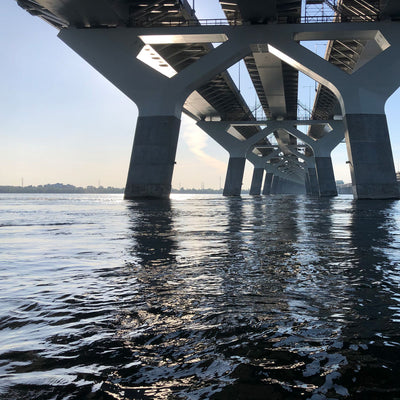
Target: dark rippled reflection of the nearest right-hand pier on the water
372, 238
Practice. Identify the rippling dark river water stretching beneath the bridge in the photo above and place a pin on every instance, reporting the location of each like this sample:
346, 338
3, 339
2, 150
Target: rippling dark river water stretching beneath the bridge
201, 297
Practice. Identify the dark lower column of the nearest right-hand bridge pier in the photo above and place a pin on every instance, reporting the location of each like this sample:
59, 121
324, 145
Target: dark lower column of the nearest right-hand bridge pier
371, 159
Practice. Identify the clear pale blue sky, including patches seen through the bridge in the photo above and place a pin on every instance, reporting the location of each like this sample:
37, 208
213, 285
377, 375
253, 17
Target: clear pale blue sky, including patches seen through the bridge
61, 121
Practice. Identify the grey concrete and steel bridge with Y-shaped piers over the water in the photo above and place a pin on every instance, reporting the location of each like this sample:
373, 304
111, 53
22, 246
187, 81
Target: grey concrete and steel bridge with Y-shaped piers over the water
168, 62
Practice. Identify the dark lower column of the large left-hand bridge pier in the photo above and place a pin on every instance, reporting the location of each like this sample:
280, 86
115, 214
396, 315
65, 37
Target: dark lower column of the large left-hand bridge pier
153, 157
